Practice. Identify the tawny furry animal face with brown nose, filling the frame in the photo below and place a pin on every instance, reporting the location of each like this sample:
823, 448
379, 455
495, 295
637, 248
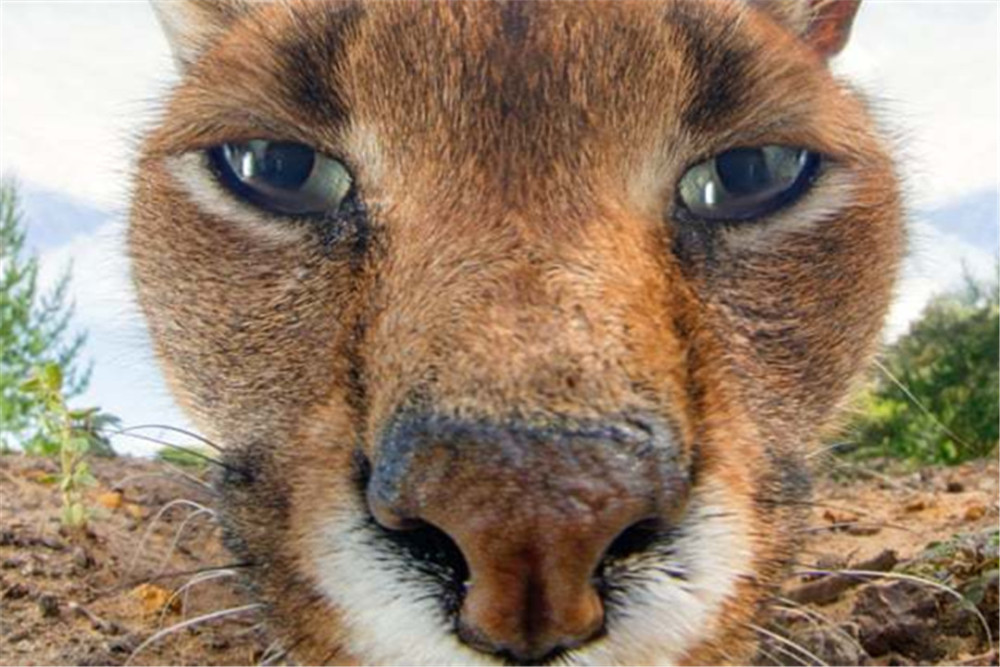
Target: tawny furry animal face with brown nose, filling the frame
517, 320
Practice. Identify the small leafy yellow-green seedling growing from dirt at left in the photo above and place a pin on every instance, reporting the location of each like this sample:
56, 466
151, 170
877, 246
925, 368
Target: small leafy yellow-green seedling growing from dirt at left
72, 433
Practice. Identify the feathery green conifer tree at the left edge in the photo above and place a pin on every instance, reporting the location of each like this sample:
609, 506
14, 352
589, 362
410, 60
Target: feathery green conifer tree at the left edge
34, 330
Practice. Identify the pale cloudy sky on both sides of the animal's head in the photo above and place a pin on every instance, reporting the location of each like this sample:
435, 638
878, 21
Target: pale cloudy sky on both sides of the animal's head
79, 81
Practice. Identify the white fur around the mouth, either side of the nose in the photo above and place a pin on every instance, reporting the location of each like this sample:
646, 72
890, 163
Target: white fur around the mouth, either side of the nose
391, 619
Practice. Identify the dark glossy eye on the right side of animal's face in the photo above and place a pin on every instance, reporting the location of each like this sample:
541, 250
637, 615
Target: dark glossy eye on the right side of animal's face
747, 183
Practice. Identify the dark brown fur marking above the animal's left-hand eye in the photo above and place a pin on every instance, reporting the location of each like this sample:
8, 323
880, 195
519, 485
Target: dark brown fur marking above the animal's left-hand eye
308, 60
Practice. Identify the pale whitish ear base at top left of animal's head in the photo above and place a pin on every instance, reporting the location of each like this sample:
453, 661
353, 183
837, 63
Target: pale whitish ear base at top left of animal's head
192, 25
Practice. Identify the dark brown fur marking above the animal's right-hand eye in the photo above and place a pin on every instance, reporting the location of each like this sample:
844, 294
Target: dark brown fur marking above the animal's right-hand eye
719, 61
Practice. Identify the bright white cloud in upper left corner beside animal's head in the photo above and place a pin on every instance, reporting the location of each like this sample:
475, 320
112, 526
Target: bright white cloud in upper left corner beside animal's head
77, 83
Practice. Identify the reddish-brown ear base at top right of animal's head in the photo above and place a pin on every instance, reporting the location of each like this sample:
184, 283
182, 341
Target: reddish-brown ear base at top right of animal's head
824, 25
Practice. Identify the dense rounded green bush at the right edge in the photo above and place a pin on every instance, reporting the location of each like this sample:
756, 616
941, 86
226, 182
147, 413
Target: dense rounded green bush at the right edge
937, 396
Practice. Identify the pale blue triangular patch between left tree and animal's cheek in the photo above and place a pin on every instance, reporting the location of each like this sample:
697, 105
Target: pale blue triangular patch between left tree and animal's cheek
53, 218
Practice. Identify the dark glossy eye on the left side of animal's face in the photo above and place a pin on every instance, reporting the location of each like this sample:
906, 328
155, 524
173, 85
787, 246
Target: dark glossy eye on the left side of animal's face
281, 176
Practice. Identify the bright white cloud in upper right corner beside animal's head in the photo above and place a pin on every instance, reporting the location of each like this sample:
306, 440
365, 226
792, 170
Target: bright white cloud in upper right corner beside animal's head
932, 66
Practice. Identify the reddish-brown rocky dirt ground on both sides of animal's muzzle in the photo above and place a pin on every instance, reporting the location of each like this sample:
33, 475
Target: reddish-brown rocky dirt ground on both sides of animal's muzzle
898, 568
